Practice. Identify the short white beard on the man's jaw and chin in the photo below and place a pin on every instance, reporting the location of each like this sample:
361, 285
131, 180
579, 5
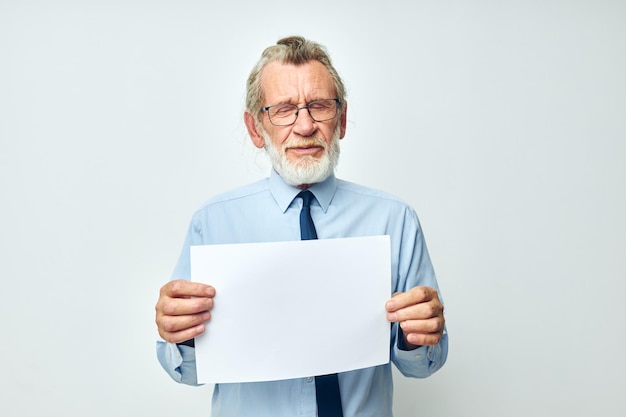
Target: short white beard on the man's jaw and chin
308, 170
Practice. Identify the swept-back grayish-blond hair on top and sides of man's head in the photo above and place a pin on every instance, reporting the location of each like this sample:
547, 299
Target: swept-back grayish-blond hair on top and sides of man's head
294, 50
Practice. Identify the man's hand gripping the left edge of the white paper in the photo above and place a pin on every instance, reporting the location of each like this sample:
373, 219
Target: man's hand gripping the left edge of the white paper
183, 309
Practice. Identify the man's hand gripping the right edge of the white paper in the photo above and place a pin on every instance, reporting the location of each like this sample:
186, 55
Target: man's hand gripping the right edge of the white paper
420, 315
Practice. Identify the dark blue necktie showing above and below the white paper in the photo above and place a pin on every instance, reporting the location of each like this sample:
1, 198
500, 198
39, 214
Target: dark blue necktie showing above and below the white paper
326, 386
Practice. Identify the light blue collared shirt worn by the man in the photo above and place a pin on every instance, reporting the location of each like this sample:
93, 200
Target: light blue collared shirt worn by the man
268, 211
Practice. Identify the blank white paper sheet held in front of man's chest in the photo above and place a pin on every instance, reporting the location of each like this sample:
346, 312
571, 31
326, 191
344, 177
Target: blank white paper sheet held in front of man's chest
293, 309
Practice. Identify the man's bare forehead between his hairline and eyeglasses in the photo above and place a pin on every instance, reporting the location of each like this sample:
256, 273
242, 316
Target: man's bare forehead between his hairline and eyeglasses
310, 80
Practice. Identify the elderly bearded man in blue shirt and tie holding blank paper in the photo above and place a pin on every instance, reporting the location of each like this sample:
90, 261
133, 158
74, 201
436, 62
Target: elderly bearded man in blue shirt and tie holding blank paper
296, 110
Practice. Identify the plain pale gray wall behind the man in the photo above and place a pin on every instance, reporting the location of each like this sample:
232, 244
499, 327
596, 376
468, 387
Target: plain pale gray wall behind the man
501, 122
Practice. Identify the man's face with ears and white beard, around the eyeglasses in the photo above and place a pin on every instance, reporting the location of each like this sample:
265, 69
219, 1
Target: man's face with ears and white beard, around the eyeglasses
307, 151
